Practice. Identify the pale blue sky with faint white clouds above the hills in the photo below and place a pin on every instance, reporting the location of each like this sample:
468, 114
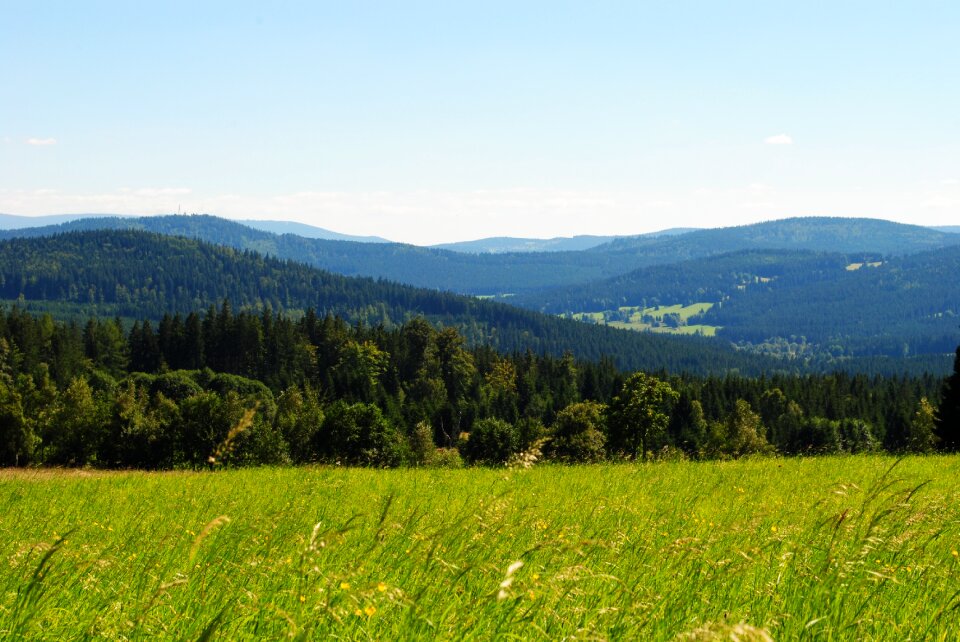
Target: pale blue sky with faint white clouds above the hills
430, 122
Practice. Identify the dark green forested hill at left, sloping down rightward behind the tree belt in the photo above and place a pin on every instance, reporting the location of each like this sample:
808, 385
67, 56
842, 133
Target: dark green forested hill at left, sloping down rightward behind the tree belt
140, 274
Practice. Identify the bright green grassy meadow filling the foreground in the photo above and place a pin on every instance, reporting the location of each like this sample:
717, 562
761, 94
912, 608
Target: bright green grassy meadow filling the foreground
813, 549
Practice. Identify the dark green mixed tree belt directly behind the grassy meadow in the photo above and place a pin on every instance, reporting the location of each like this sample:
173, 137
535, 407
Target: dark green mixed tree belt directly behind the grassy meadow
263, 387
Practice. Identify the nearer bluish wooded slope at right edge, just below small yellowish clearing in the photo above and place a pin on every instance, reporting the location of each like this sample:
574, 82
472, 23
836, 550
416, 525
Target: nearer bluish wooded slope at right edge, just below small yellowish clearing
904, 305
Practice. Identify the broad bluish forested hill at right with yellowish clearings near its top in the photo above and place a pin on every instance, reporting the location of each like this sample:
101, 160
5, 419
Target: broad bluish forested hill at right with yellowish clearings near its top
836, 304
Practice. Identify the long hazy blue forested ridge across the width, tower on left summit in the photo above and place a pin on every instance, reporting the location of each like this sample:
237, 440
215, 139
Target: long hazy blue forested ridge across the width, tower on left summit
529, 271
